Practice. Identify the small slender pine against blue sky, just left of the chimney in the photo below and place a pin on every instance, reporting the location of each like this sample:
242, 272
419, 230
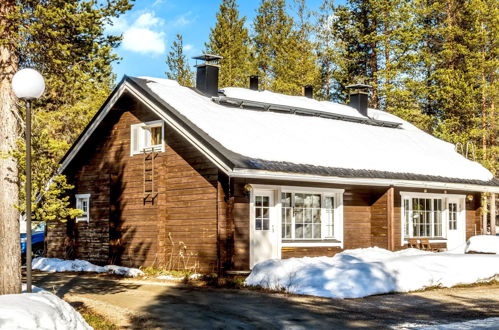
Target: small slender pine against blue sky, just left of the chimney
178, 67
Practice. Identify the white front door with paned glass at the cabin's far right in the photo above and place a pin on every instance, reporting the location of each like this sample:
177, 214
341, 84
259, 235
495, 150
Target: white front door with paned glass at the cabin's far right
456, 234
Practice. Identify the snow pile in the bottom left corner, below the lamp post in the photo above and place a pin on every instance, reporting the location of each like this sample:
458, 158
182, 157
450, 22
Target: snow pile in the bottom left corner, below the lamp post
41, 310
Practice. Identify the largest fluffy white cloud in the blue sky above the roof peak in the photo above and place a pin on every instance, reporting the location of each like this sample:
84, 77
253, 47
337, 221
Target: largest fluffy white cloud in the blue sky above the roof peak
143, 36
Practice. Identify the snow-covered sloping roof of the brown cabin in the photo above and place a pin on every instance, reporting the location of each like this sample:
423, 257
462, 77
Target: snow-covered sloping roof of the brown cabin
307, 144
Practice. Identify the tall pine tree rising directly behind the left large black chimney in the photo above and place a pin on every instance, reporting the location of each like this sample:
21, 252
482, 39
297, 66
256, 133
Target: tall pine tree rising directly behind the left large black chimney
229, 39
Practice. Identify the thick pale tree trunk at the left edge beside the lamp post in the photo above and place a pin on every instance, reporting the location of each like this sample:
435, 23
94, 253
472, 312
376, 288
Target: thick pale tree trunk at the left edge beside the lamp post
10, 254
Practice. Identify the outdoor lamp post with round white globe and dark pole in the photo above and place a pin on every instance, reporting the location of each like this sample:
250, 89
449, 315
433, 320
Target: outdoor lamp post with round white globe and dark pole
28, 85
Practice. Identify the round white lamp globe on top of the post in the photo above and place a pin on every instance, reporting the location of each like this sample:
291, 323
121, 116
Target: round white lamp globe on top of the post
28, 84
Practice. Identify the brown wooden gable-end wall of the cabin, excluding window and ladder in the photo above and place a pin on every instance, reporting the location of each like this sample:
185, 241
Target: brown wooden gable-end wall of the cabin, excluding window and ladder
178, 230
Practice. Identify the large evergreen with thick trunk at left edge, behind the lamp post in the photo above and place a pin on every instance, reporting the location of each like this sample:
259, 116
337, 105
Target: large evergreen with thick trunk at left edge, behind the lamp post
65, 41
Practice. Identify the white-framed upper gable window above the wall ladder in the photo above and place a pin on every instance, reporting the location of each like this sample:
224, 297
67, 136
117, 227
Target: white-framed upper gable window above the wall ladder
147, 137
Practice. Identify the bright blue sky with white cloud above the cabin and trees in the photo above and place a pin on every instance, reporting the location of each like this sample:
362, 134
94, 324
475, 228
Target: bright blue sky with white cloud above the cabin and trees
150, 27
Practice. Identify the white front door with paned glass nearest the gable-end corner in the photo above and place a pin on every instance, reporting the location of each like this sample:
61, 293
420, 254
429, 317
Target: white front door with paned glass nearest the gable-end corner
263, 229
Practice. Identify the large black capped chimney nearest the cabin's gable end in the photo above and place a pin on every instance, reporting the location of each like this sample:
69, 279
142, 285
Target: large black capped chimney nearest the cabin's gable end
207, 74
